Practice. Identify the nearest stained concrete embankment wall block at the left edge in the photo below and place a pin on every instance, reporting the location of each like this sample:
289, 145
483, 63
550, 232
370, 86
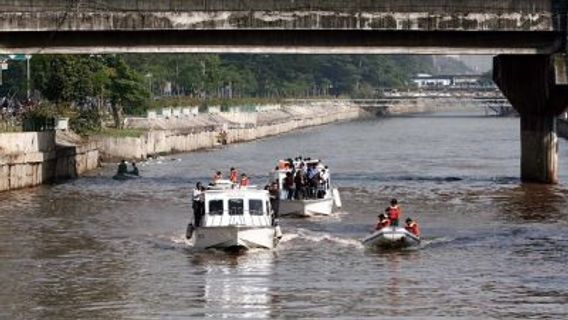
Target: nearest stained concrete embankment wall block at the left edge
31, 158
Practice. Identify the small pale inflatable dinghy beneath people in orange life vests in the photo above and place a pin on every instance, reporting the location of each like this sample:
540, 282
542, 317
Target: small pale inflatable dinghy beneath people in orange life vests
391, 237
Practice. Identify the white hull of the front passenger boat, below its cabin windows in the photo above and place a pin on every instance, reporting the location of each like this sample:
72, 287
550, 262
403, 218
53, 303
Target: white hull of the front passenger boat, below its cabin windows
235, 237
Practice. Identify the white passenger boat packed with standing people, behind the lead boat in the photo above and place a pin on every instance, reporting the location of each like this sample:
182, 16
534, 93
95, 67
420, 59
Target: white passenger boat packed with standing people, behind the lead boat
317, 201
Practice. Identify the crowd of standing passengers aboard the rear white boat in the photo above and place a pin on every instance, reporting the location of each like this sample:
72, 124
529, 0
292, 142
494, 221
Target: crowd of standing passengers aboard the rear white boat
305, 179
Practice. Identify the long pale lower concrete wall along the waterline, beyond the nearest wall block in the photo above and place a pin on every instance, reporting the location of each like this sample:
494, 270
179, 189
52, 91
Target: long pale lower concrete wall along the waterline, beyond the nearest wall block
189, 139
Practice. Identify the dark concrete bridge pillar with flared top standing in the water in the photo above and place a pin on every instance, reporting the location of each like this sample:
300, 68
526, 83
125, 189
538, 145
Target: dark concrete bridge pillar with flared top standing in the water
537, 87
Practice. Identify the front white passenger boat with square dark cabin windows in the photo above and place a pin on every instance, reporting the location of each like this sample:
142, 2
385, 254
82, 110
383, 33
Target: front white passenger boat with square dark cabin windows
235, 218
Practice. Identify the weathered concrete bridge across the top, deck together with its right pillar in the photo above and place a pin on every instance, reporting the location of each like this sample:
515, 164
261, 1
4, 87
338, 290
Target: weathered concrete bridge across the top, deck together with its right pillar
530, 37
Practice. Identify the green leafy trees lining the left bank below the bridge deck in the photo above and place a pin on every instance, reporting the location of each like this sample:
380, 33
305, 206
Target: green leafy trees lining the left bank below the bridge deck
94, 85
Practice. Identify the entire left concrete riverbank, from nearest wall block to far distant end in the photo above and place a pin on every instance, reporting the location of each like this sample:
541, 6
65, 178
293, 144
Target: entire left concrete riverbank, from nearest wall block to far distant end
32, 158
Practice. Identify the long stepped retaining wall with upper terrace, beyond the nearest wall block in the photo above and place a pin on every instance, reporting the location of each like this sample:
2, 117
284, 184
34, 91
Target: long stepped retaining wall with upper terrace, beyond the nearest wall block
208, 131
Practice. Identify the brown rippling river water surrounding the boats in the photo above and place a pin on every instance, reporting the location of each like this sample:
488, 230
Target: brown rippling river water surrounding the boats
492, 248
